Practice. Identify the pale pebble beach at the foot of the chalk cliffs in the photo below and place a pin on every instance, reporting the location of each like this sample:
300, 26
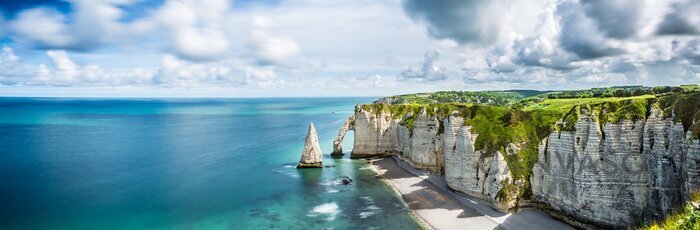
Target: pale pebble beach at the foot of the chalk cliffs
438, 207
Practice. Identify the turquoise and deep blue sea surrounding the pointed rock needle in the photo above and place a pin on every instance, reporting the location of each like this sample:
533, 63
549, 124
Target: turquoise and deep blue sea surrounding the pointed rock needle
183, 164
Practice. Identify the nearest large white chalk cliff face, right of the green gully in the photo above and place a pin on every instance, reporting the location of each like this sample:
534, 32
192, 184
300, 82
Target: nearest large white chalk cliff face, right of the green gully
623, 174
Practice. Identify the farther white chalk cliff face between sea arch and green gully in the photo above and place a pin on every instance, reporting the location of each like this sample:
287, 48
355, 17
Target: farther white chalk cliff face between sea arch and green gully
438, 144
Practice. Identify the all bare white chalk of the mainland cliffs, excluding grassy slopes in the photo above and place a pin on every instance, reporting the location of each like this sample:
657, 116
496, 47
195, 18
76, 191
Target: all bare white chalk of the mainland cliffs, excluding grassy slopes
613, 175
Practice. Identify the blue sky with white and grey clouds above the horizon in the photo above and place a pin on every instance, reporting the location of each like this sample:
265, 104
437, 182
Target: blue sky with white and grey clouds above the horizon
277, 48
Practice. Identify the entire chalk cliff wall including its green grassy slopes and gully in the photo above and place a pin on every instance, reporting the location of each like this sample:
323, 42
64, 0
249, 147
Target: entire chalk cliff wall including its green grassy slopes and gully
610, 162
